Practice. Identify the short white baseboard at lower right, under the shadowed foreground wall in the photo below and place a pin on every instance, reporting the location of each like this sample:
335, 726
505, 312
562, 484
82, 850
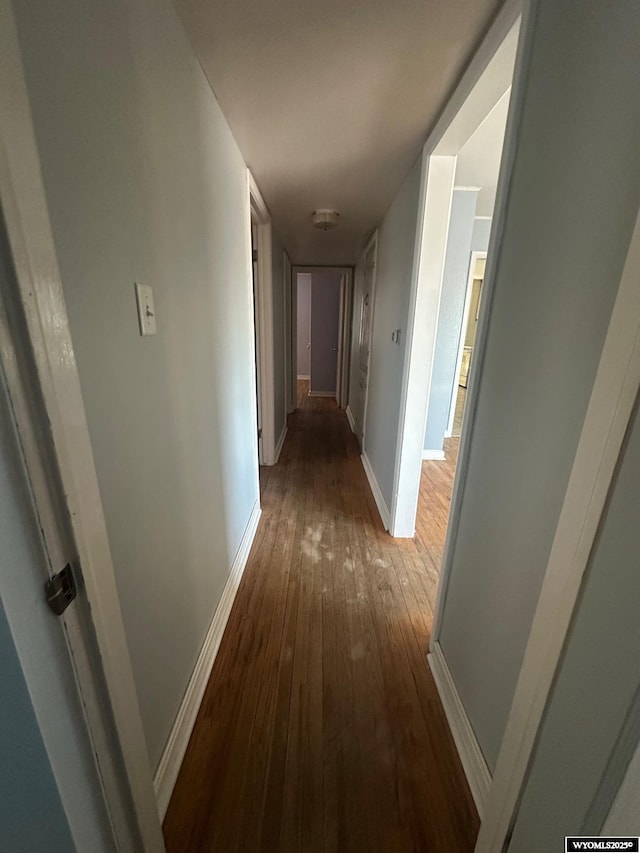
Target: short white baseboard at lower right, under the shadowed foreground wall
473, 761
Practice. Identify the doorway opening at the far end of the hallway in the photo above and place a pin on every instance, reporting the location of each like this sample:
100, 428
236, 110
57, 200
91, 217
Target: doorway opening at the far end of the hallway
322, 330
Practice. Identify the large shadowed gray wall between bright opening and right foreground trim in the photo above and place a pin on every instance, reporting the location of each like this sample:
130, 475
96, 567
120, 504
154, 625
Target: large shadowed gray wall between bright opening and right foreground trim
571, 205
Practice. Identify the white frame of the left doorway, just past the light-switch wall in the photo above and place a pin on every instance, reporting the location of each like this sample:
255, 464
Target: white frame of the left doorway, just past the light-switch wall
263, 322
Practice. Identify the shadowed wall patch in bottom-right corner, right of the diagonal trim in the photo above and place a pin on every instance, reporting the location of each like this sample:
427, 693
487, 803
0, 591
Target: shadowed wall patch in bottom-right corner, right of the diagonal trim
591, 726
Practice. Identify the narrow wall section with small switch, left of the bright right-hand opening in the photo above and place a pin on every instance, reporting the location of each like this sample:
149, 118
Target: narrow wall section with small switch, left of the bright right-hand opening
396, 244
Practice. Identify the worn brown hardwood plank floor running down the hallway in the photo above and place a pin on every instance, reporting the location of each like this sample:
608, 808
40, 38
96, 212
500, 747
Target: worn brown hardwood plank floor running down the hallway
321, 728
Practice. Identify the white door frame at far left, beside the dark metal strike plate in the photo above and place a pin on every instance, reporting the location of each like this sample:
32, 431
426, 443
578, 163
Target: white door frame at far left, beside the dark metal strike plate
38, 294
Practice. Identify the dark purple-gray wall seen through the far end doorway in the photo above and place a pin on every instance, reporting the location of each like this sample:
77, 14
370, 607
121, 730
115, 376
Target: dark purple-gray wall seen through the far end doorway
325, 310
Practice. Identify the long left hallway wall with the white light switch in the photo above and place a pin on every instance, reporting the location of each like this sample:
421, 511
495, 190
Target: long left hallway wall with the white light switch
144, 182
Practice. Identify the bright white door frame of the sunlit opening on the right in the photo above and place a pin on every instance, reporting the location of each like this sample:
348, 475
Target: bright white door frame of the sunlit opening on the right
456, 124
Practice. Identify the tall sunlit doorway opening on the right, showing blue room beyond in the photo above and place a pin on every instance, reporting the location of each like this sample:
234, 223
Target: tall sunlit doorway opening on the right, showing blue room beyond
464, 179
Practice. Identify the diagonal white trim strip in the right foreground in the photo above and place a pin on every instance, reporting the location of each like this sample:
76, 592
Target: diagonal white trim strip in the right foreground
615, 391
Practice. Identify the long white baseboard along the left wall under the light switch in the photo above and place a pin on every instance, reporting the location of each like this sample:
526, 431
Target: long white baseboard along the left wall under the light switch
166, 773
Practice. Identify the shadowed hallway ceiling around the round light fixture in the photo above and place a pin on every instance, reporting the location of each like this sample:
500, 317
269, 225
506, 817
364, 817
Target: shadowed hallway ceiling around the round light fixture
330, 102
